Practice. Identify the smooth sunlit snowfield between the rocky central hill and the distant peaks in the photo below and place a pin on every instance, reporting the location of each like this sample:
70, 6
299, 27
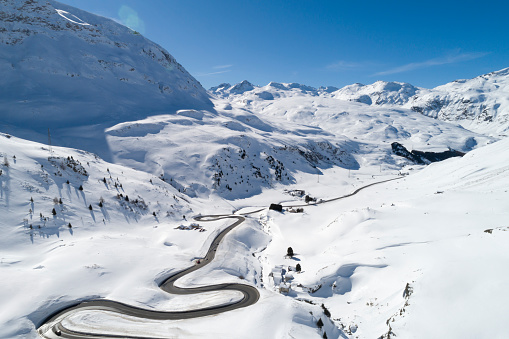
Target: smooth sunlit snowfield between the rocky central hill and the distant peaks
359, 122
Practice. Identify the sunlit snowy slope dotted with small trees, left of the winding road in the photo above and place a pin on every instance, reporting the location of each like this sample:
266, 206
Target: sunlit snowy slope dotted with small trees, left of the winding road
116, 250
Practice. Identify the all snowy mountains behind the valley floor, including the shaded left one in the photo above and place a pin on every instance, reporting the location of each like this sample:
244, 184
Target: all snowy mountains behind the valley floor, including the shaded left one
102, 87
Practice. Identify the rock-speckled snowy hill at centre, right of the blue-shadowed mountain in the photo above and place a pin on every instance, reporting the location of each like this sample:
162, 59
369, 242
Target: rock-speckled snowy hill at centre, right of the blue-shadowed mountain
233, 153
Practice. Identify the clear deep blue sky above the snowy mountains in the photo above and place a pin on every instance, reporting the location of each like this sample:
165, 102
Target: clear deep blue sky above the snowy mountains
321, 43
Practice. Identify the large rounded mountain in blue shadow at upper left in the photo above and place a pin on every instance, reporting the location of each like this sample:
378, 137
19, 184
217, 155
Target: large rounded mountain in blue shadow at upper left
64, 68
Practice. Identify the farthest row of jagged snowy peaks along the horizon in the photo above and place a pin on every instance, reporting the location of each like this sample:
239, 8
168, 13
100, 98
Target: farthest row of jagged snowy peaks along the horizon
480, 104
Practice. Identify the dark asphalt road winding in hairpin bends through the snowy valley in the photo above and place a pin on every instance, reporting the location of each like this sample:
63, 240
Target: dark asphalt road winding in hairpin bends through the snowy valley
52, 326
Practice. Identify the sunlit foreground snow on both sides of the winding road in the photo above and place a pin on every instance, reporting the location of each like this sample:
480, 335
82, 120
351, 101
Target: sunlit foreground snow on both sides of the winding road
425, 249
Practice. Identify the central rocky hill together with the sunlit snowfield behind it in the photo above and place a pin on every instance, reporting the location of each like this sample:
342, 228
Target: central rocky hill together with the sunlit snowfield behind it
245, 147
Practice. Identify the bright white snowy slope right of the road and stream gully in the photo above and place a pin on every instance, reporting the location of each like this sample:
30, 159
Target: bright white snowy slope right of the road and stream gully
417, 257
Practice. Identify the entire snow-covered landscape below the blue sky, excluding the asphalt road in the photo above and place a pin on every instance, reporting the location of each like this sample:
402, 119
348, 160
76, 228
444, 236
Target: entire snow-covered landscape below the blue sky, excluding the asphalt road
105, 208
